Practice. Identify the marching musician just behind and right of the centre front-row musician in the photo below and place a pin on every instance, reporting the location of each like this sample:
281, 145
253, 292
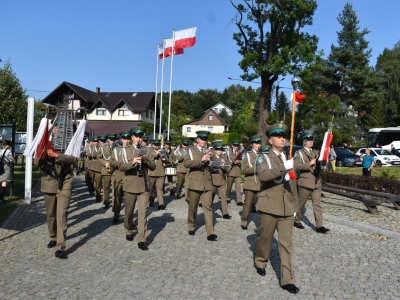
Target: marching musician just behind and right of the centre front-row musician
219, 180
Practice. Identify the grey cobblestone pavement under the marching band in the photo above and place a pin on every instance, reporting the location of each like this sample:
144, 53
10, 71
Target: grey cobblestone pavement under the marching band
358, 259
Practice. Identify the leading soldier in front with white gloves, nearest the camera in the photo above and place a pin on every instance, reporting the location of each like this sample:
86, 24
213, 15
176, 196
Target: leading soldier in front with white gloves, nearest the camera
275, 207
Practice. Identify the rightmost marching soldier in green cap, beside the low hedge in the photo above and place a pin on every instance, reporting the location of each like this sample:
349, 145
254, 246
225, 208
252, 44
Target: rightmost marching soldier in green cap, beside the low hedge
309, 183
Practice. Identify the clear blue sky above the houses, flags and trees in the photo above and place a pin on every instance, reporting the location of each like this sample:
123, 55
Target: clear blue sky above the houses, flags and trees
113, 44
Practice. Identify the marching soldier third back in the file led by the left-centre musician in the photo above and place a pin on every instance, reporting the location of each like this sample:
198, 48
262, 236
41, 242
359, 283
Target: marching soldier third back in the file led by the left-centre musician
104, 160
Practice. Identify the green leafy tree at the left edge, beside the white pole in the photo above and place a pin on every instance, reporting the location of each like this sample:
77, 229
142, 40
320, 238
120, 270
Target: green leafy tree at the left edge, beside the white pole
13, 105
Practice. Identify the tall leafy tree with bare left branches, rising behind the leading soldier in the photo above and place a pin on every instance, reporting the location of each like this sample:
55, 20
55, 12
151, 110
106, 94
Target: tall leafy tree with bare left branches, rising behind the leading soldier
272, 44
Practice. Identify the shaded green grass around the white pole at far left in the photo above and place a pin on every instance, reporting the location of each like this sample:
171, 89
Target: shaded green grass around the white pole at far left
18, 191
